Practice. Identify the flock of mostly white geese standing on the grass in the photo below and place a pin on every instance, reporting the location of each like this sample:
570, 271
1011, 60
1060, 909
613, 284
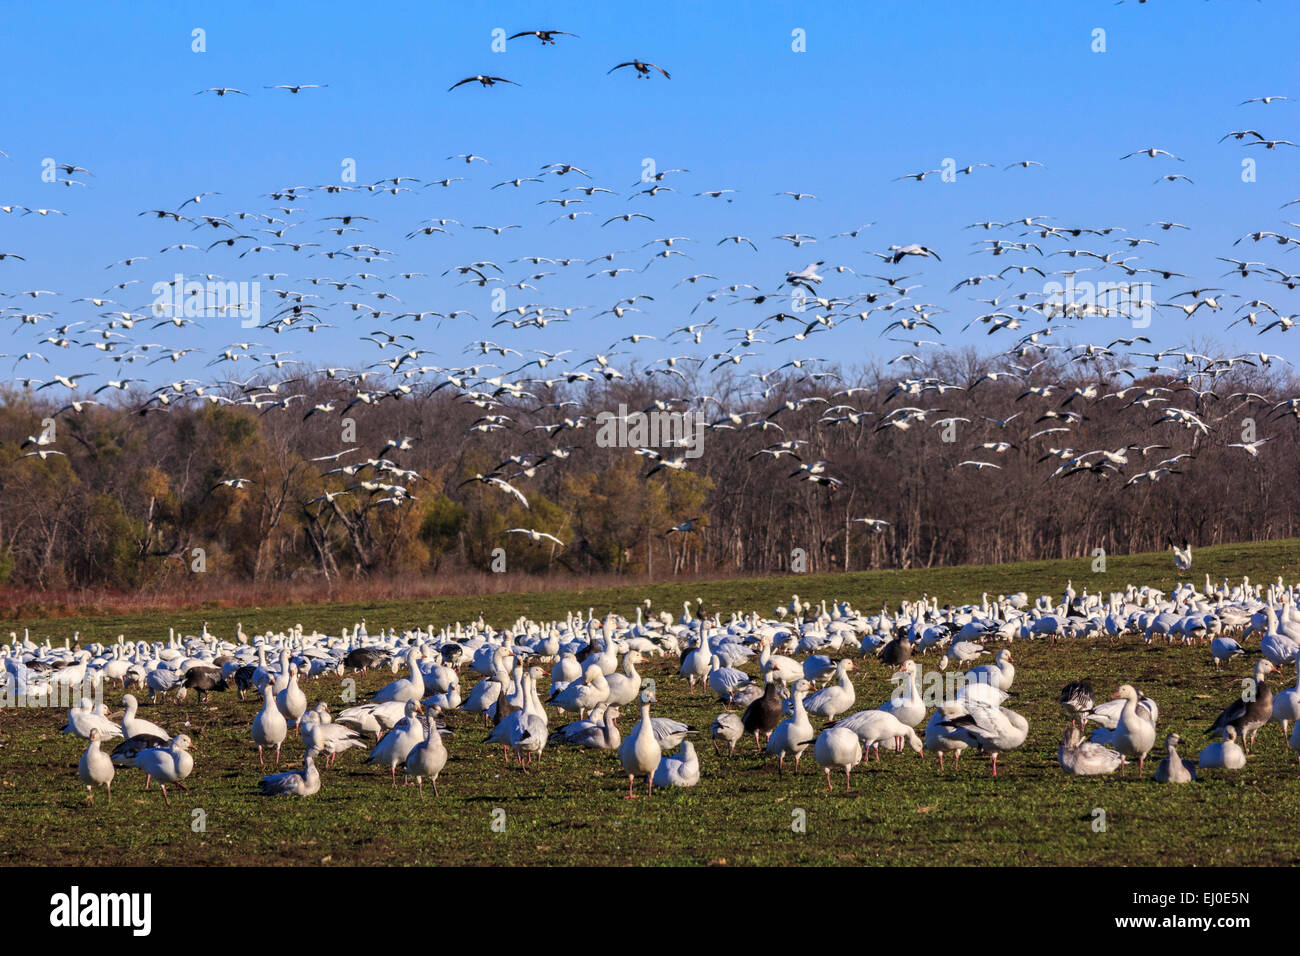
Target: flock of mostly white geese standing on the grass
783, 681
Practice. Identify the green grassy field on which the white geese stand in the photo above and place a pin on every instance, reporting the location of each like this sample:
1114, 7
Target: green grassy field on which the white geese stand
569, 808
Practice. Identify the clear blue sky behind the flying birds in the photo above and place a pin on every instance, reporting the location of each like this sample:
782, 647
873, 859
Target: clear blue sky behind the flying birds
881, 92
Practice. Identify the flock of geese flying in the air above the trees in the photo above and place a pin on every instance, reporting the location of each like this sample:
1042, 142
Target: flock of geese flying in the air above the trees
335, 270
